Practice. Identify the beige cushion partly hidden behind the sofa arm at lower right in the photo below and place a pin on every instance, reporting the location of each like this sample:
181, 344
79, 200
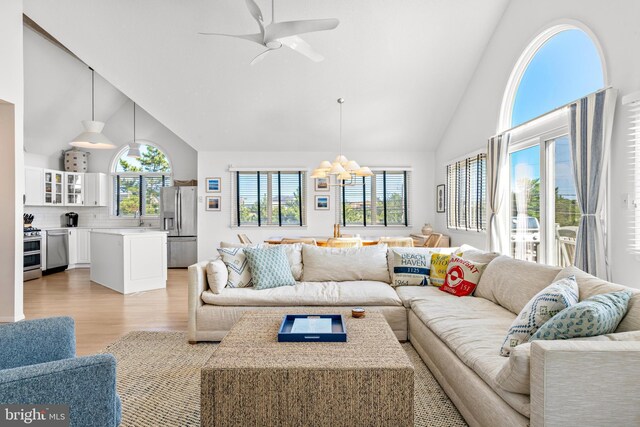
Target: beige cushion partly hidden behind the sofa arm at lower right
514, 375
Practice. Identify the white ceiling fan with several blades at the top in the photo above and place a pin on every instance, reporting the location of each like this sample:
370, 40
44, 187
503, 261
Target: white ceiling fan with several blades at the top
277, 34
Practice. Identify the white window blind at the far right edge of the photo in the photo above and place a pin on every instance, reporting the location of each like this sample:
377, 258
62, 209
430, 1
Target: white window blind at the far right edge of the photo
633, 105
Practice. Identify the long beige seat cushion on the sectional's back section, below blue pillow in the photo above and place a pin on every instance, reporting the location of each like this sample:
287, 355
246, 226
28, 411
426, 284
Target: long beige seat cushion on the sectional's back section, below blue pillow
366, 293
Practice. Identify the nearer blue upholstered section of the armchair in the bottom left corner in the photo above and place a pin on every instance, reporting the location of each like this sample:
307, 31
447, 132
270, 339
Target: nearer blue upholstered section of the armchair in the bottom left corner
86, 384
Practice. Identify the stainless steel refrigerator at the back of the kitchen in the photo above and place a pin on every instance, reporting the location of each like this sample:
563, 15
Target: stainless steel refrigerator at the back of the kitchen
179, 216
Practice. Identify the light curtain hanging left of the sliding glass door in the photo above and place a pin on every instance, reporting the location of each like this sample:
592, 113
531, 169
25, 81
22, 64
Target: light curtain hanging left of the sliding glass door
497, 188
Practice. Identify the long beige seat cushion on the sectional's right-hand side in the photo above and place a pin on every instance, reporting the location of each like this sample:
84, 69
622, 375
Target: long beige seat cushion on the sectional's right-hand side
473, 328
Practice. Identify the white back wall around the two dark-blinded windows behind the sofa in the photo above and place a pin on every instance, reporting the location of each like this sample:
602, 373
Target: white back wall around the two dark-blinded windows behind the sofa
214, 227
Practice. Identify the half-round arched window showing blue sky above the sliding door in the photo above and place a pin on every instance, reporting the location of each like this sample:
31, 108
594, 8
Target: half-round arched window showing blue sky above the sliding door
561, 65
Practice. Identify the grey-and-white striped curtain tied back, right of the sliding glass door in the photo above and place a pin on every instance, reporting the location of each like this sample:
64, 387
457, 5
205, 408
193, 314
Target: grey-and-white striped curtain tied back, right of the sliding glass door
590, 125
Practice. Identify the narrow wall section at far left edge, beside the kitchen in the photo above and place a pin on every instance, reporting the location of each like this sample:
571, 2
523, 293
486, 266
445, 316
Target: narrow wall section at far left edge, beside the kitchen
11, 161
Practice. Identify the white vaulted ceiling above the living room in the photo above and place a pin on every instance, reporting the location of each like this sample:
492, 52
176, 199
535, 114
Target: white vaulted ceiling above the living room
402, 67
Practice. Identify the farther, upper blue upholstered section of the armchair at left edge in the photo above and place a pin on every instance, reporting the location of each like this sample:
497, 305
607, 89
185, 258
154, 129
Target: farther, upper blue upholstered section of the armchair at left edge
37, 341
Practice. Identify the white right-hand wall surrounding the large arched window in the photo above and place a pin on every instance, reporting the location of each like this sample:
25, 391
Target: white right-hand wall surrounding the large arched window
615, 24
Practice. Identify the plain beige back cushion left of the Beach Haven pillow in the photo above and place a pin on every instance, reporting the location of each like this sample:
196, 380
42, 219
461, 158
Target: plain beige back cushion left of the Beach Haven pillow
345, 264
